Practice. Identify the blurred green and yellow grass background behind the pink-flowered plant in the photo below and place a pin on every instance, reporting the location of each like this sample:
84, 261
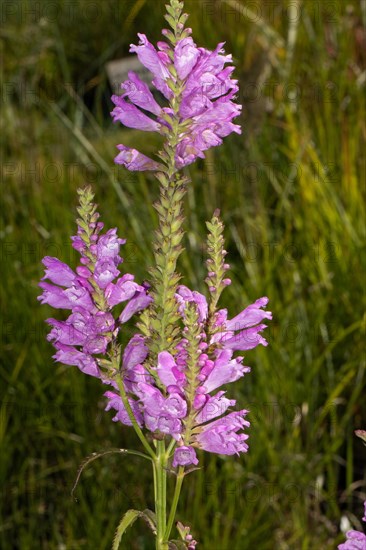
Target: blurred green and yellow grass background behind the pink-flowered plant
291, 192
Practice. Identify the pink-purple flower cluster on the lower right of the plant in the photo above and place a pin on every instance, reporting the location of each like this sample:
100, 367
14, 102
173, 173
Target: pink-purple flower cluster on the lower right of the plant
167, 401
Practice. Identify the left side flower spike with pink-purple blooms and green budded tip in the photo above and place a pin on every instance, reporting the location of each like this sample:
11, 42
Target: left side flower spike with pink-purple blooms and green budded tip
91, 293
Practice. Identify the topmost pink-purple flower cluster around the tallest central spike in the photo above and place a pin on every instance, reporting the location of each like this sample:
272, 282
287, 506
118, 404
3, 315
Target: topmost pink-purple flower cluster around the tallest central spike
206, 92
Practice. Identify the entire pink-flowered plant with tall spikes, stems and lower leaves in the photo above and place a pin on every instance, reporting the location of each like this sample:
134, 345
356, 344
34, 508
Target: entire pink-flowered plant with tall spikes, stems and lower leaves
166, 381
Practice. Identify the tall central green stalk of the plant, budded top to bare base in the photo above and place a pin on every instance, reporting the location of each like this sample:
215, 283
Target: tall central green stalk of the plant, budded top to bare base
160, 324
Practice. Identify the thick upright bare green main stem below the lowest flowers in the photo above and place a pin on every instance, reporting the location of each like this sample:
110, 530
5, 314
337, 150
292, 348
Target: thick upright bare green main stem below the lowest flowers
160, 495
